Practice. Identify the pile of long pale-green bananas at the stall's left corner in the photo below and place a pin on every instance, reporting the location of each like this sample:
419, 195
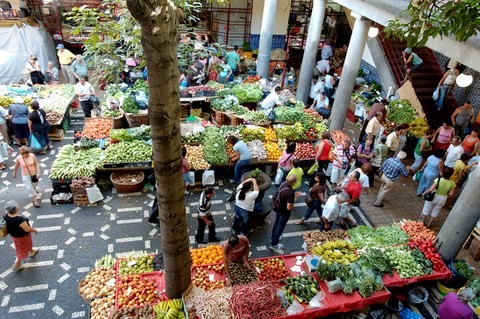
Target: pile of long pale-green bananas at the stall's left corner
70, 163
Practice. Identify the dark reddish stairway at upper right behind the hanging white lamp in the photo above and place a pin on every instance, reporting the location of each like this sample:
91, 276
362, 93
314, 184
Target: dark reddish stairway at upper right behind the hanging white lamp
424, 80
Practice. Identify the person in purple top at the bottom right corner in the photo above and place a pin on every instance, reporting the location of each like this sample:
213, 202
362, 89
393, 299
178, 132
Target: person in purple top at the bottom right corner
456, 305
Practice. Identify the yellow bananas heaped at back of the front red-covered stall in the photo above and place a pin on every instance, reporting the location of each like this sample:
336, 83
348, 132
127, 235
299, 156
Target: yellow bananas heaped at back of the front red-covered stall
339, 251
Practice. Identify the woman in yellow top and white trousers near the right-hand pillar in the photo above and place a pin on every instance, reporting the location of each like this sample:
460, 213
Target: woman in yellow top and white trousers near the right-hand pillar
445, 189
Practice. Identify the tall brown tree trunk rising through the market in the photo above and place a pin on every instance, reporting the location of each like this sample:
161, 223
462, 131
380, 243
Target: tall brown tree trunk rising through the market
159, 21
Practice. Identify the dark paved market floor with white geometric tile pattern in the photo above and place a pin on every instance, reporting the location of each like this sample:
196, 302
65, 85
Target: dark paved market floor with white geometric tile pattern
72, 237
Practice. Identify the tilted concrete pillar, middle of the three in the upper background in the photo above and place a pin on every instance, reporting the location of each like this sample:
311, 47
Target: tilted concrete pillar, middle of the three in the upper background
311, 48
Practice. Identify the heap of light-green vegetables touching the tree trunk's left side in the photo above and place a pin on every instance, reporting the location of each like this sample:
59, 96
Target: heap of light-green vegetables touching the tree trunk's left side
128, 152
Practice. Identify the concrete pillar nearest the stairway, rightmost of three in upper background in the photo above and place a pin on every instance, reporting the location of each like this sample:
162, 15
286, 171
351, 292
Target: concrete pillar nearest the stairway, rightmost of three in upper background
350, 71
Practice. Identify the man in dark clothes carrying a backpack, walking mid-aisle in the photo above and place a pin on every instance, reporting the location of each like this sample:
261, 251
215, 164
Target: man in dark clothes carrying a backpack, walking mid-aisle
282, 204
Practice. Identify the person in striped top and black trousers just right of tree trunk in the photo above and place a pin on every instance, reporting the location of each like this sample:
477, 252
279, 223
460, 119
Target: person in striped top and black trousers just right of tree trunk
205, 217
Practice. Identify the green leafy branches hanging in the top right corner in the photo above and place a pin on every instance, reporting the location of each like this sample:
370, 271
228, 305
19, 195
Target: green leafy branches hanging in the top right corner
431, 18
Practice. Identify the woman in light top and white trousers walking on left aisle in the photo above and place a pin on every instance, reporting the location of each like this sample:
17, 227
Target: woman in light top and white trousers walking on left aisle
30, 171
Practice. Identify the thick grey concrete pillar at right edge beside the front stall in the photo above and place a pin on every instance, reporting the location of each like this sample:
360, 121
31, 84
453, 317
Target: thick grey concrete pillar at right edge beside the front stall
461, 220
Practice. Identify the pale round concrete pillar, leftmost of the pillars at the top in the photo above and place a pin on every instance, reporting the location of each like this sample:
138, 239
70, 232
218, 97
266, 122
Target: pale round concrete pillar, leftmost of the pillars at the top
266, 33
